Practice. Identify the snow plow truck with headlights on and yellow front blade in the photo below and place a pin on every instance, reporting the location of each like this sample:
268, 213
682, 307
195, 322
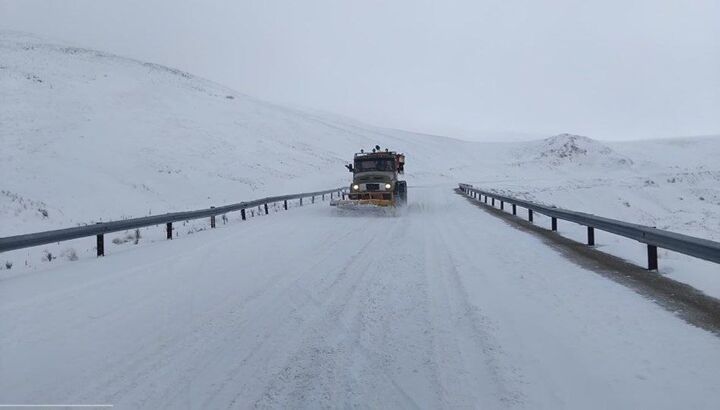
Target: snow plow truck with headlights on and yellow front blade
376, 180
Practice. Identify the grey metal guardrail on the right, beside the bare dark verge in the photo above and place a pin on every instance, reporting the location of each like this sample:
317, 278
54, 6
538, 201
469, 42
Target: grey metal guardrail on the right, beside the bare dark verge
653, 237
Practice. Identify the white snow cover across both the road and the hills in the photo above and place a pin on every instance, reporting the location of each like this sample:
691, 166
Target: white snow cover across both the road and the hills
441, 306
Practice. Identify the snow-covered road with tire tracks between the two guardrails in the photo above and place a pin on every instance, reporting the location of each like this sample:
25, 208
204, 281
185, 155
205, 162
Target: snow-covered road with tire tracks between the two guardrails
443, 306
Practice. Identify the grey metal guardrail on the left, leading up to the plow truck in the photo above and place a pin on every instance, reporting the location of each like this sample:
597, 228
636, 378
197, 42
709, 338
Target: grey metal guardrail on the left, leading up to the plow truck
101, 228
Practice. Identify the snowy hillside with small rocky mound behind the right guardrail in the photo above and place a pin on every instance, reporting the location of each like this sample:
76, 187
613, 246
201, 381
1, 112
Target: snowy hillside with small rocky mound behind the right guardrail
671, 184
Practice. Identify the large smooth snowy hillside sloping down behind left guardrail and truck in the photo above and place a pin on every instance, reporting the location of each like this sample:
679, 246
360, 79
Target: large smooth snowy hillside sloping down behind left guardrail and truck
90, 136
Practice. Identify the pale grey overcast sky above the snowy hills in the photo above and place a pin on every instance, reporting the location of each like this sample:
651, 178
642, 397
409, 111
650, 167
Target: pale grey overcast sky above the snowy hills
604, 68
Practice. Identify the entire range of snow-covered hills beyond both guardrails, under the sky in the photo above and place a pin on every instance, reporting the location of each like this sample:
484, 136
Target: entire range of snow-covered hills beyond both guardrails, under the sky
88, 136
